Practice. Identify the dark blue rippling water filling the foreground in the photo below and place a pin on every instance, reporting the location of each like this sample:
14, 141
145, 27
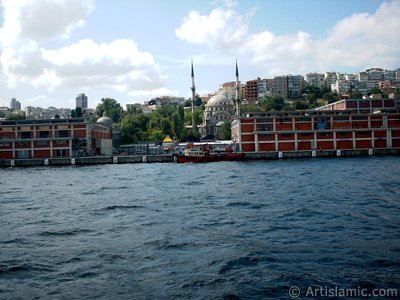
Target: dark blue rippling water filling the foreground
243, 230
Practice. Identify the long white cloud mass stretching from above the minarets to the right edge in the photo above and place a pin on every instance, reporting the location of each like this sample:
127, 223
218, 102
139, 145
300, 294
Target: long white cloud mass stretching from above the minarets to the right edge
358, 41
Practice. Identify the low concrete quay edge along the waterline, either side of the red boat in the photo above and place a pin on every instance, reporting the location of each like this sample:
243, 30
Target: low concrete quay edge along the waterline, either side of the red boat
5, 163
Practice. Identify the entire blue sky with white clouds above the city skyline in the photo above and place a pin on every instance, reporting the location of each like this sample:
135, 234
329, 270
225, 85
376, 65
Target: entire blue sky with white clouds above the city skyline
134, 50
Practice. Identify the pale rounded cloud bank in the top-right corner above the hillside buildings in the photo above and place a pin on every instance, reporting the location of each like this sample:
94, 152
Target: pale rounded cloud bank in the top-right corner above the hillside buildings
364, 39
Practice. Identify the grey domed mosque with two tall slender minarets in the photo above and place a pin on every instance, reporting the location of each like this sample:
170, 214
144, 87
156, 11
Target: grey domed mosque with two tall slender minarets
218, 111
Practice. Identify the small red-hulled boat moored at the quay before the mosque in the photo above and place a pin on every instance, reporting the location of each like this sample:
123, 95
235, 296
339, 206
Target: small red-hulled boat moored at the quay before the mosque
208, 153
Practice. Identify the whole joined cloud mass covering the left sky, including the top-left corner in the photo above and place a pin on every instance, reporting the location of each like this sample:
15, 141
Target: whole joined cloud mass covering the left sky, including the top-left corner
83, 65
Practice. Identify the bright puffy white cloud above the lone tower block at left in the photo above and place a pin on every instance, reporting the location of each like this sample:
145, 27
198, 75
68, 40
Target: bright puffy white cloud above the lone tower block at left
117, 65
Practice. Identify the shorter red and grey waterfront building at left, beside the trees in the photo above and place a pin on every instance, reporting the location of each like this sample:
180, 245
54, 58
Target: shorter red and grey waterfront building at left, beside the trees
54, 138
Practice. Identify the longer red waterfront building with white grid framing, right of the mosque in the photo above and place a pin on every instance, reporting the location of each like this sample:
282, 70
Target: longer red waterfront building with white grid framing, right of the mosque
338, 129
